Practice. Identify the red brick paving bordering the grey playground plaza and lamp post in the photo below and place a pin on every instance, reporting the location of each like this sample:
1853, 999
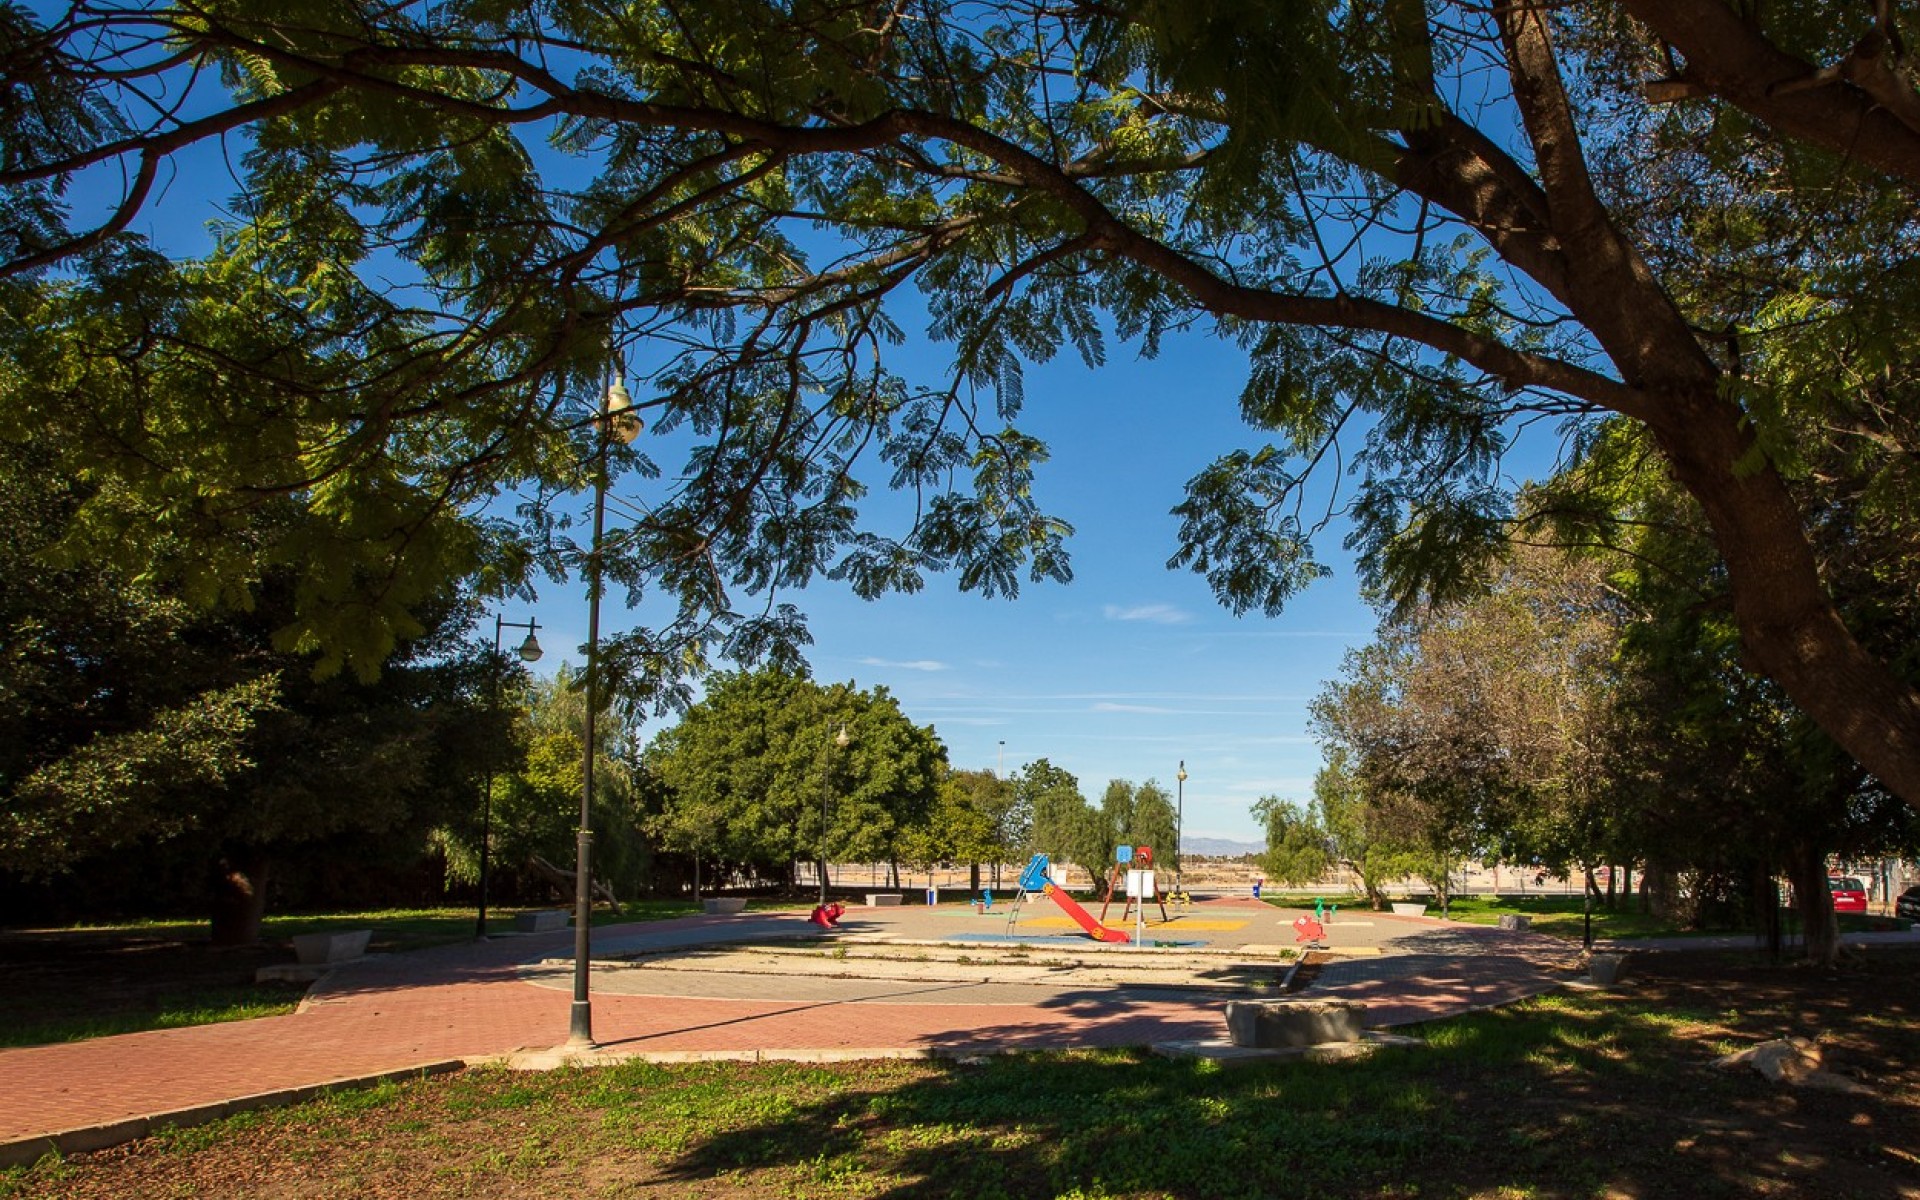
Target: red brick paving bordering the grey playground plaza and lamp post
473, 1003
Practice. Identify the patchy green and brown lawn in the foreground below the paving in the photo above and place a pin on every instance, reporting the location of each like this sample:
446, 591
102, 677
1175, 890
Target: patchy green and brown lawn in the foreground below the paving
1579, 1095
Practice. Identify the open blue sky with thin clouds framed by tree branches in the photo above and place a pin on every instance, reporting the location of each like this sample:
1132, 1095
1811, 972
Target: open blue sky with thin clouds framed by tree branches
1132, 667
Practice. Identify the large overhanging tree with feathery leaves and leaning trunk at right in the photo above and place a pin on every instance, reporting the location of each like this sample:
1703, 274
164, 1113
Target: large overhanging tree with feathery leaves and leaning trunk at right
1428, 226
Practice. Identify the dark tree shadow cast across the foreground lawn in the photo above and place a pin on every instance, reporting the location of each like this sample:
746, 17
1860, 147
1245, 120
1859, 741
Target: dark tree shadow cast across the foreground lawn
1591, 1095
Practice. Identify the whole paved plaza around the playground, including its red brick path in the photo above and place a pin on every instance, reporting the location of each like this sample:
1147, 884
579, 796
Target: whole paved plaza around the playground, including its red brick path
888, 982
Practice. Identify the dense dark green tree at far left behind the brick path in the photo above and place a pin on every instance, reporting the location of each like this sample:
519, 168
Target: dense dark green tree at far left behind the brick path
137, 729
